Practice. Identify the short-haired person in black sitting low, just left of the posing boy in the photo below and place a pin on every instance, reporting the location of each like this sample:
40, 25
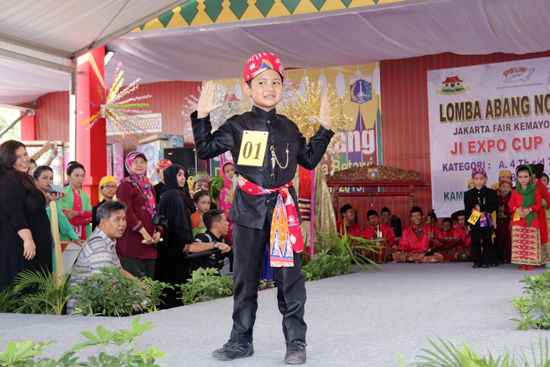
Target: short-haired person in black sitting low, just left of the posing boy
217, 227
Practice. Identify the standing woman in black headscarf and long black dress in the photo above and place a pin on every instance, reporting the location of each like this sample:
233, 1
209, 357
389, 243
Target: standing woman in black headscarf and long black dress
176, 206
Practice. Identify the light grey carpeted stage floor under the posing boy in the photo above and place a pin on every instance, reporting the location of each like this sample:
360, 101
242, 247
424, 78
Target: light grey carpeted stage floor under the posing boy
360, 319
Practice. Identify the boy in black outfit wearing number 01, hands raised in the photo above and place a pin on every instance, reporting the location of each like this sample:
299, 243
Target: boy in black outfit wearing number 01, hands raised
268, 148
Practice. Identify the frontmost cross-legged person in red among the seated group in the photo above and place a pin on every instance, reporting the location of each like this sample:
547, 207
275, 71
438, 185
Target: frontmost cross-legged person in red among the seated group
416, 240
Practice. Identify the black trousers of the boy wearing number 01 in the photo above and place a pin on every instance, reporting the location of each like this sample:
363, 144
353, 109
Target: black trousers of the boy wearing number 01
248, 255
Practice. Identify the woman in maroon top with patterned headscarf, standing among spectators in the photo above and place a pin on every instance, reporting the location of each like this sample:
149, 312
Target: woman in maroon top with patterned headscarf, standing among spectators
137, 243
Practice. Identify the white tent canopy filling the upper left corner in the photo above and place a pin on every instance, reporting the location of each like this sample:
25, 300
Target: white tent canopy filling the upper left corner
38, 39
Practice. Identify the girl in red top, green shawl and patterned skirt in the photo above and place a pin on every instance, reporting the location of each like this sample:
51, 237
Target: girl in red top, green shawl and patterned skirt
524, 204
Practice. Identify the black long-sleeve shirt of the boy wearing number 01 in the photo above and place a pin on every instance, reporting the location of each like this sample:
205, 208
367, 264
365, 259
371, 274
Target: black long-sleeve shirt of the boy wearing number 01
251, 210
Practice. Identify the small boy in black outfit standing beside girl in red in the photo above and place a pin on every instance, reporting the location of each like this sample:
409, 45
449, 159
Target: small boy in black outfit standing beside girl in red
481, 202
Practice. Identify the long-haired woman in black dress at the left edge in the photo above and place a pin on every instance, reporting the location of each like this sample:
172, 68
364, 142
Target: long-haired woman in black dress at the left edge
25, 239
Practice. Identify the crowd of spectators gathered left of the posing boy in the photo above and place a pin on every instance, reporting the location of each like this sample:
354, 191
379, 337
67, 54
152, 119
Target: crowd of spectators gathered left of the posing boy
142, 229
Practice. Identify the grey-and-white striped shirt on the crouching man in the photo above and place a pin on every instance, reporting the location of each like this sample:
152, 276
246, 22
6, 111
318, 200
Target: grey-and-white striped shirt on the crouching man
97, 252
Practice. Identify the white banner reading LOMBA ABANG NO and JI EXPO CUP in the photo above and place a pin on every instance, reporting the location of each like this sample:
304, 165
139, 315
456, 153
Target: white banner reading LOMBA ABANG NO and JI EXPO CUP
499, 121
